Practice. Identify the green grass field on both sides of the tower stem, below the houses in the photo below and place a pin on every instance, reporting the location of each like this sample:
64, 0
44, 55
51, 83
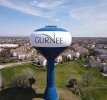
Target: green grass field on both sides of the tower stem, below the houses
63, 72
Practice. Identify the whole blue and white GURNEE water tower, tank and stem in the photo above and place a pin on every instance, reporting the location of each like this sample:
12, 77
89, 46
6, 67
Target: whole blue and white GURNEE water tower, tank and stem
50, 41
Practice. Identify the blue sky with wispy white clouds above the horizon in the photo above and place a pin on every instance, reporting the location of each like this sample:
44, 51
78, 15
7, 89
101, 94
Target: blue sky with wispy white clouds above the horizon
82, 18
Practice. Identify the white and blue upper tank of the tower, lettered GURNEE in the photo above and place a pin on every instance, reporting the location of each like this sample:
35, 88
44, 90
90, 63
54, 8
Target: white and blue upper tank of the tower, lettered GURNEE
51, 36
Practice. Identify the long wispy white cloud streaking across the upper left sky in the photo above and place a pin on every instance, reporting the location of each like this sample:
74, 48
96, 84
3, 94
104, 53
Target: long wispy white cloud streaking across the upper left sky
35, 7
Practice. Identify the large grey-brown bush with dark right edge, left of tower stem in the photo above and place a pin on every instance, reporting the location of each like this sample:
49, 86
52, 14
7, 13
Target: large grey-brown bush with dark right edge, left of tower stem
24, 80
